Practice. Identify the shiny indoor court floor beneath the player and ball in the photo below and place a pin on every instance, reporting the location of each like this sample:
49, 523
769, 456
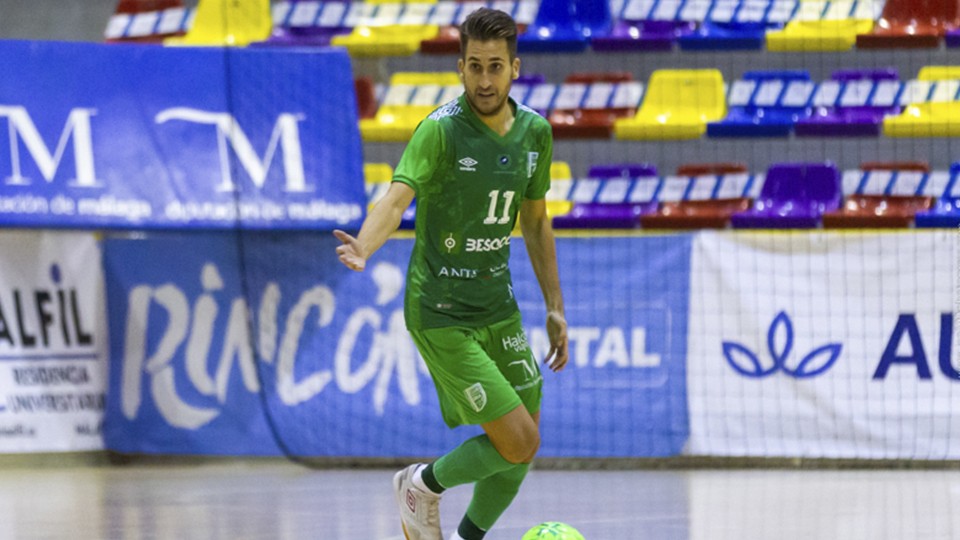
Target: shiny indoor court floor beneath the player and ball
277, 500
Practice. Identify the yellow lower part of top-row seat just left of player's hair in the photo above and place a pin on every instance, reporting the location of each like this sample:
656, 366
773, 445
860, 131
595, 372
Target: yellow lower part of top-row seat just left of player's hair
387, 40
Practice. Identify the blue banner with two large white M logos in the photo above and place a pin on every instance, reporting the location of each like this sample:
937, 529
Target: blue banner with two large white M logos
133, 136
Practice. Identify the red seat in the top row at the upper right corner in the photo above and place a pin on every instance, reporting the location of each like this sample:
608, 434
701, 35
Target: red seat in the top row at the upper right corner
914, 24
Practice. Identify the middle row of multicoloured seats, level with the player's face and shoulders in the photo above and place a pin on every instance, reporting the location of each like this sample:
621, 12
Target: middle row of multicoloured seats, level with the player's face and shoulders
688, 104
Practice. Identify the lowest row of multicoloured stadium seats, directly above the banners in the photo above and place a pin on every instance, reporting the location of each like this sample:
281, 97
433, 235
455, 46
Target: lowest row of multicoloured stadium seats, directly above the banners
787, 195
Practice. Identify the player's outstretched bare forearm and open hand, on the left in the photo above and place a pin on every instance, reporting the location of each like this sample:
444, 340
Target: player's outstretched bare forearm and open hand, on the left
381, 222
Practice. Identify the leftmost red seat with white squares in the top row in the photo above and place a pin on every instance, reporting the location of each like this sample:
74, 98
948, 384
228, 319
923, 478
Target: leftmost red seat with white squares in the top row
147, 21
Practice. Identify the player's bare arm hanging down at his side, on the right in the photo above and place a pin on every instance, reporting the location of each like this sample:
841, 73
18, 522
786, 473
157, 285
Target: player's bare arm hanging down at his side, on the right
541, 247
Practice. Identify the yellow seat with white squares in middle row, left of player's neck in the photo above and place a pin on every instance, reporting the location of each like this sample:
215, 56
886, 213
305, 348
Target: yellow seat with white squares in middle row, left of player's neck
411, 96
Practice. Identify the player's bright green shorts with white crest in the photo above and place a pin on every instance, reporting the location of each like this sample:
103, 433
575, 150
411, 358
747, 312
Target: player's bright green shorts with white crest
481, 373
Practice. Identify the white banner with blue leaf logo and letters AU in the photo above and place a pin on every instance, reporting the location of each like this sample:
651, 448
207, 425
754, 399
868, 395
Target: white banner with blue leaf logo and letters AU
825, 344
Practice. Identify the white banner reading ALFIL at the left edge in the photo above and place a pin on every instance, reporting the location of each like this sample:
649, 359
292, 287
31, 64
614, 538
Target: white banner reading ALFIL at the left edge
53, 342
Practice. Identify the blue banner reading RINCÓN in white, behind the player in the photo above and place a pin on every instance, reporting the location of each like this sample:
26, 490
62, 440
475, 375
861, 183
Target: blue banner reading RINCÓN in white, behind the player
296, 353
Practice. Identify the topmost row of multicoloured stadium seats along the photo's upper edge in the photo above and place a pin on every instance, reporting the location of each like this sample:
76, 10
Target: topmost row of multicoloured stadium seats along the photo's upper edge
404, 28
